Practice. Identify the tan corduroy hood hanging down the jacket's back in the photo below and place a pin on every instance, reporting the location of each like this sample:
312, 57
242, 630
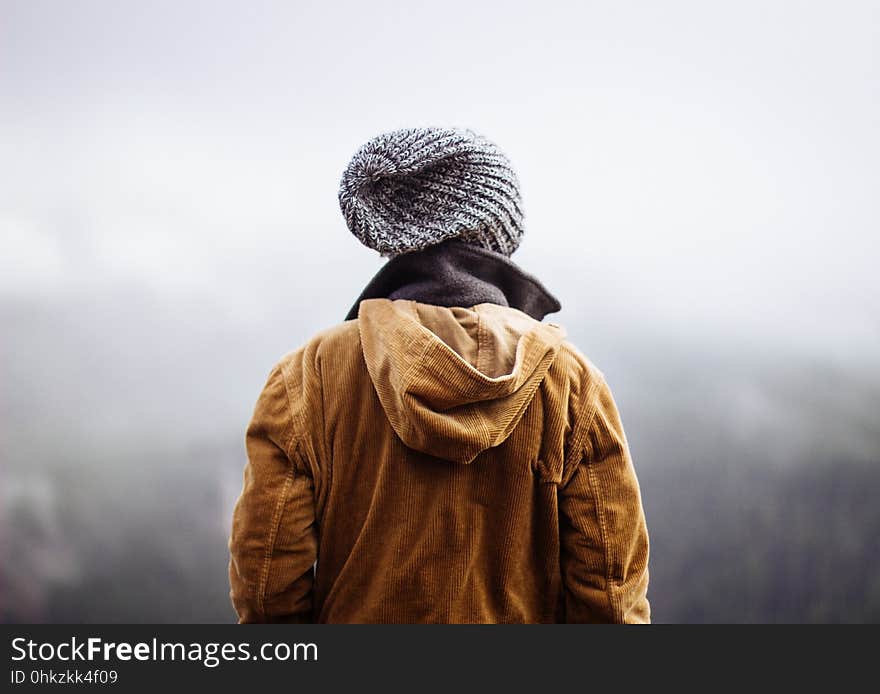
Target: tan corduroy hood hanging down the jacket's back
454, 381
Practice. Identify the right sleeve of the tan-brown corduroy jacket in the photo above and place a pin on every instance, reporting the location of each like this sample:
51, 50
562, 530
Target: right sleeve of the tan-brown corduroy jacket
603, 534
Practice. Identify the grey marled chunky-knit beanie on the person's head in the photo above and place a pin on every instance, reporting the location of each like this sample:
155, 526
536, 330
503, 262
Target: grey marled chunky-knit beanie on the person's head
412, 188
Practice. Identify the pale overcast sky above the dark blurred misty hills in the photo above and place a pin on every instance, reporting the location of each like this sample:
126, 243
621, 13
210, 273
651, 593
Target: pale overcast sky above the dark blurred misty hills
692, 164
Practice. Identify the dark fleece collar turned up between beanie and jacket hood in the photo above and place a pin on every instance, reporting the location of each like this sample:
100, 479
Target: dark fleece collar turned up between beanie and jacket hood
455, 273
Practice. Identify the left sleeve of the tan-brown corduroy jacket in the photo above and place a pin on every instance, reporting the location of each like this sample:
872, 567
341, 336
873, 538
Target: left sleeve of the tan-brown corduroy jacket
273, 544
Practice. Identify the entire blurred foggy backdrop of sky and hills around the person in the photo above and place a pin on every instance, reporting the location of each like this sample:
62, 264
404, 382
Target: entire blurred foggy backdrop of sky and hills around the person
700, 182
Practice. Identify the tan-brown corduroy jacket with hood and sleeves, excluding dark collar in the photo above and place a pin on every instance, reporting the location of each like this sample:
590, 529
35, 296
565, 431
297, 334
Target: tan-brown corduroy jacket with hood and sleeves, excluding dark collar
426, 464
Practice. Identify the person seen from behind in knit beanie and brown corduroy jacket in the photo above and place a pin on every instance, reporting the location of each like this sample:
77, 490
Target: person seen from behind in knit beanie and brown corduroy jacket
443, 455
